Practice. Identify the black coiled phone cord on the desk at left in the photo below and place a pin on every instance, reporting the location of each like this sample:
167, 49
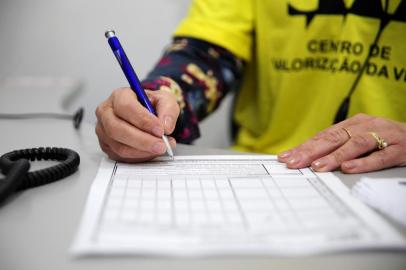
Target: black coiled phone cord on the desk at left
15, 166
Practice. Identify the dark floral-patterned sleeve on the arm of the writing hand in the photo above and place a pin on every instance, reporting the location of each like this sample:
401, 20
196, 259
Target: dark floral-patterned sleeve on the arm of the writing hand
200, 74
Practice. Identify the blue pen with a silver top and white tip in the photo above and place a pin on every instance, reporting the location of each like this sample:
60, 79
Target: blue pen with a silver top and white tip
133, 79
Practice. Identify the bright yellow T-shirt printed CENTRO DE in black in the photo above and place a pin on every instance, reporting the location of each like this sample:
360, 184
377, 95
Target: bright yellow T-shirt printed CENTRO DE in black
303, 58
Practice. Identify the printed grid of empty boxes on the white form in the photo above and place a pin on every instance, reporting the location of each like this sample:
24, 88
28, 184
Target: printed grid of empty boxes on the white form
278, 200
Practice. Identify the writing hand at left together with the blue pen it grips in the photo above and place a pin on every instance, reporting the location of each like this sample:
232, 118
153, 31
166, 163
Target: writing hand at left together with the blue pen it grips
132, 123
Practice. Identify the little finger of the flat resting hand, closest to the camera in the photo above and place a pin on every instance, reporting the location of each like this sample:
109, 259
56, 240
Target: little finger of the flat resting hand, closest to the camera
378, 160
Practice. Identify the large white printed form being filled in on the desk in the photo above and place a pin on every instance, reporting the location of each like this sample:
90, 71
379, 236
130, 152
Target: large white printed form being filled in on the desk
224, 205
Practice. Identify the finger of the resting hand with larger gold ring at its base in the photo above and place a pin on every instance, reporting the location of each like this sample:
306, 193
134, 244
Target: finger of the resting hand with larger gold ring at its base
358, 145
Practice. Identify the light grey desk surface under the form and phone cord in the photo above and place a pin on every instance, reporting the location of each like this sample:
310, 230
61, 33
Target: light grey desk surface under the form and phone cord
37, 226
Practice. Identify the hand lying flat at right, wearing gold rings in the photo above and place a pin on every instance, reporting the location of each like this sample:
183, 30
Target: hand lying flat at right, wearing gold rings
359, 144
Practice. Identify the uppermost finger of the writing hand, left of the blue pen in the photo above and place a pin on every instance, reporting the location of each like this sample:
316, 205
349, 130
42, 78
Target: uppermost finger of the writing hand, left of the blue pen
127, 107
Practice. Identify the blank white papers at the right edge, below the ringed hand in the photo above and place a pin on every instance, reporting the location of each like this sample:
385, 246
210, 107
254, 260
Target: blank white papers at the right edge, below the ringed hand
385, 195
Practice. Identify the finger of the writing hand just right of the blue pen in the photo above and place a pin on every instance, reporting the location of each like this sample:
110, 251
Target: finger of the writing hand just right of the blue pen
166, 107
